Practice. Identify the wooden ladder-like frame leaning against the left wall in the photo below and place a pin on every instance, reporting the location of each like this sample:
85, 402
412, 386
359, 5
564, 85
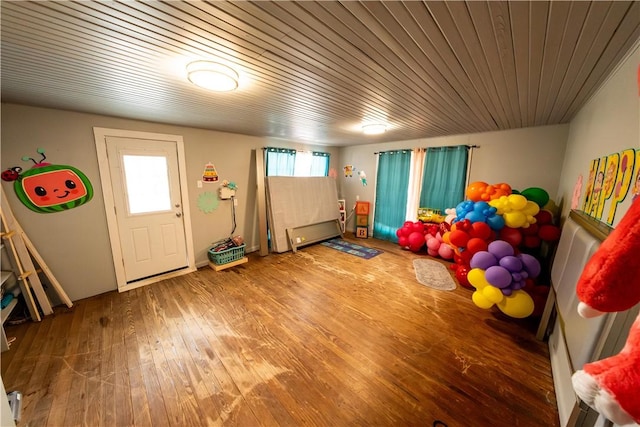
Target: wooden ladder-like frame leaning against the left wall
22, 254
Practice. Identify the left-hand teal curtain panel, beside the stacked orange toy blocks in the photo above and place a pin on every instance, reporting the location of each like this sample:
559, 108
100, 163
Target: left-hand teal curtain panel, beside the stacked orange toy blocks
392, 185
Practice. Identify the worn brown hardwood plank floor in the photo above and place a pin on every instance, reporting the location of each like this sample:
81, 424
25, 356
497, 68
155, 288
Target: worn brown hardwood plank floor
318, 337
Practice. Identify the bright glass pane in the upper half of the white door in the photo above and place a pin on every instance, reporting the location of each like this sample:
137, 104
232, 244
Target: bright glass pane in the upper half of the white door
147, 182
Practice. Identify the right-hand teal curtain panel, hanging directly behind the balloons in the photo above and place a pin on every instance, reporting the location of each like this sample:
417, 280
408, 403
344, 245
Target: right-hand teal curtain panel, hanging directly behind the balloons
444, 176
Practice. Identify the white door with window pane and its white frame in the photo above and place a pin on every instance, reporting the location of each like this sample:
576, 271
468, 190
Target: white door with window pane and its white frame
148, 222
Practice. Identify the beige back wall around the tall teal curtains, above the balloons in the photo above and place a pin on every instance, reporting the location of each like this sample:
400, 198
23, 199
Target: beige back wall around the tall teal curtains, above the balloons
529, 157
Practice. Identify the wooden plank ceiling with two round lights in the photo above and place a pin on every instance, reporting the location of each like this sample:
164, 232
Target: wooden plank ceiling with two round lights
314, 71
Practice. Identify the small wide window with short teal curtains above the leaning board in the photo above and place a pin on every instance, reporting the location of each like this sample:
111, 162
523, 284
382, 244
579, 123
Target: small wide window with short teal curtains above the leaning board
288, 162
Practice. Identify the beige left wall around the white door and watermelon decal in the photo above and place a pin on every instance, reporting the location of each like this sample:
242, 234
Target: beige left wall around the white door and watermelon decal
75, 243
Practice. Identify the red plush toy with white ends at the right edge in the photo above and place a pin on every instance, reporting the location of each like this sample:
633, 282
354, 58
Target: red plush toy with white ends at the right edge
609, 283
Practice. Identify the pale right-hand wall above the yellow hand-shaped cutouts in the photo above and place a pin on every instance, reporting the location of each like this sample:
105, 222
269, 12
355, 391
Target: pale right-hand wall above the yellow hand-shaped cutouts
608, 123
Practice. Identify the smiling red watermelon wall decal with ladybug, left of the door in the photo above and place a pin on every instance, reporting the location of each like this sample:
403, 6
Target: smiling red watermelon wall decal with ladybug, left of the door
47, 188
